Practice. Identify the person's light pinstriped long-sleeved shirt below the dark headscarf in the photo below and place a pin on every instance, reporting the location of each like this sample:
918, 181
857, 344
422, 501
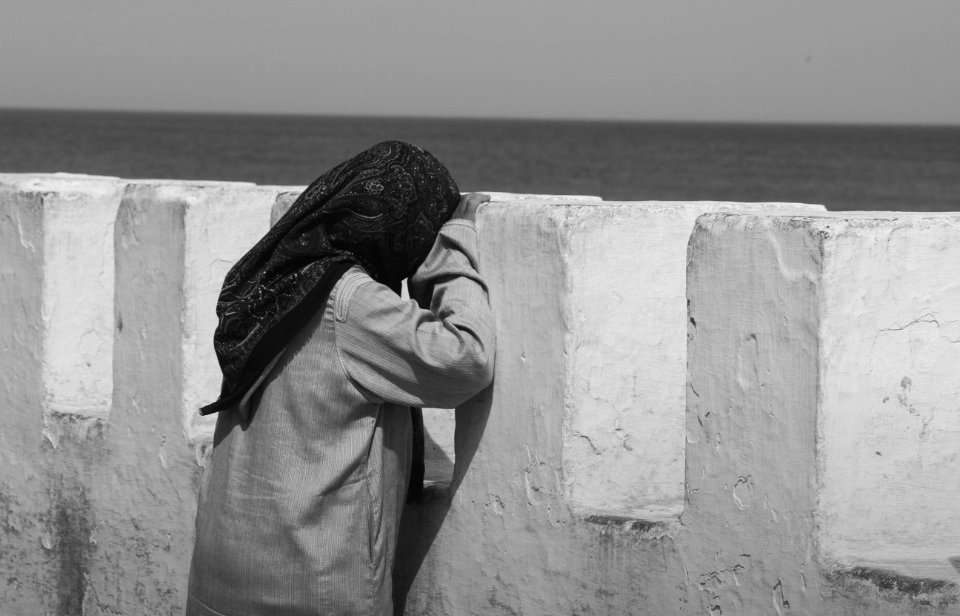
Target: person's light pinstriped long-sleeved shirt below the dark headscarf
300, 502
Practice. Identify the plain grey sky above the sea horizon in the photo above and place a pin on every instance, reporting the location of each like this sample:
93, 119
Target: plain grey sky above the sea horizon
860, 61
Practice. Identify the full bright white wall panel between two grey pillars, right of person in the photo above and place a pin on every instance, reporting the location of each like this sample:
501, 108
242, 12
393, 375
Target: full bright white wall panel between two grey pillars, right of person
625, 301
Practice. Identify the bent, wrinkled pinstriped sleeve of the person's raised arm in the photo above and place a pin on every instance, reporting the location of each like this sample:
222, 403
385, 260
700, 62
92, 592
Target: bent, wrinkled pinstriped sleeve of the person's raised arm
437, 356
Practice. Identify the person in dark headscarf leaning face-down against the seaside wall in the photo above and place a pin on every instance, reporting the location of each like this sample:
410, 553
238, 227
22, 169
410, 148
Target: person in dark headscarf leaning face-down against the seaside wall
300, 500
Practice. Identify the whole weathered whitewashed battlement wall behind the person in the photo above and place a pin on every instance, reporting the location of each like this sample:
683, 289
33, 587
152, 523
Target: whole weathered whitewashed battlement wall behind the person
697, 407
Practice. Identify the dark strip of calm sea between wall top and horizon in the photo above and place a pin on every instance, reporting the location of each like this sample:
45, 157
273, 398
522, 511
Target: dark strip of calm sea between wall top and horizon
842, 167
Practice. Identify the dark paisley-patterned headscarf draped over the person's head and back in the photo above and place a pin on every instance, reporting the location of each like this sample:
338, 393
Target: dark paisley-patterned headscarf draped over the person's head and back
381, 210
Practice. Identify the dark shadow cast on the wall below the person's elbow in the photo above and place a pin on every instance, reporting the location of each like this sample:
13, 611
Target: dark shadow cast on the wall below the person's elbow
423, 520
